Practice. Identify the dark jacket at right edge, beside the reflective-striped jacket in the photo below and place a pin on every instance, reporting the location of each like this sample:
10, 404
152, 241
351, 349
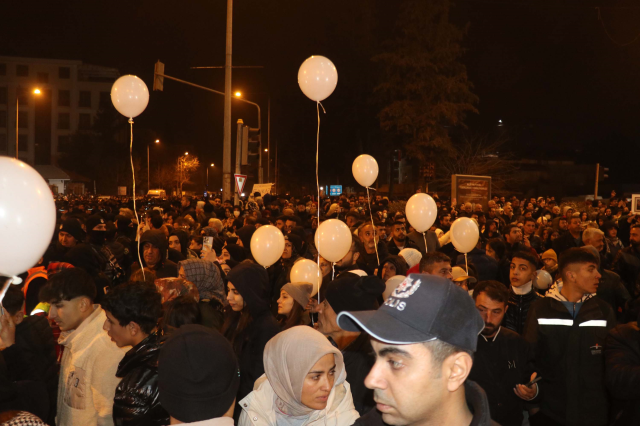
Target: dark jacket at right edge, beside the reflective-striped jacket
622, 372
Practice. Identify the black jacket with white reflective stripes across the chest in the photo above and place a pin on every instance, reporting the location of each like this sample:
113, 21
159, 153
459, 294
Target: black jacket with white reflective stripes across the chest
569, 357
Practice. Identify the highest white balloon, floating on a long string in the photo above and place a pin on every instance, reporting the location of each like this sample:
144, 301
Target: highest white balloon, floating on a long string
317, 78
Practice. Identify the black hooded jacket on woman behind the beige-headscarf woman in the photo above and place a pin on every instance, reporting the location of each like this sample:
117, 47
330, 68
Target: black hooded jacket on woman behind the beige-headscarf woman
251, 281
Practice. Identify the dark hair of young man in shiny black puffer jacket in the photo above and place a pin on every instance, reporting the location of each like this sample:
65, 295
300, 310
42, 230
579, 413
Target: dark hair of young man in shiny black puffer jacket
134, 302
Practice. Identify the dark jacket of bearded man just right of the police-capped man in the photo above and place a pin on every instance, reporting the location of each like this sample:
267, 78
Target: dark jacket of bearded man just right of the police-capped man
499, 364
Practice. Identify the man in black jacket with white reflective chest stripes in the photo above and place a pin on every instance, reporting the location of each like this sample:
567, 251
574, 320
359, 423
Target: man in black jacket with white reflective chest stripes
567, 329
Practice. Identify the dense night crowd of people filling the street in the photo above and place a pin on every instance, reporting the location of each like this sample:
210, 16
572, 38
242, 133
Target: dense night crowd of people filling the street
170, 320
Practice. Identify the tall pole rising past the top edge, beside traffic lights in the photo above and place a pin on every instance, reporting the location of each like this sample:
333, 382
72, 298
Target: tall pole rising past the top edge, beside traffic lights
226, 151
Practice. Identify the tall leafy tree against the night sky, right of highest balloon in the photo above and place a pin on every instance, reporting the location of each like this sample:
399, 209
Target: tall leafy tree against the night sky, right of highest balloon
424, 90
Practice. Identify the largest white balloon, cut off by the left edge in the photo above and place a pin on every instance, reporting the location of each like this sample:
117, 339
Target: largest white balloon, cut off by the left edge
27, 216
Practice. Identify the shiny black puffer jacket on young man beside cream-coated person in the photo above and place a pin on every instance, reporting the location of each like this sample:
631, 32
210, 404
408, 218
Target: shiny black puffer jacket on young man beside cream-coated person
137, 399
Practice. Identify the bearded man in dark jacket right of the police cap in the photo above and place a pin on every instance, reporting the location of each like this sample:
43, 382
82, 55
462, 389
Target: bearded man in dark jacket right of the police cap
503, 360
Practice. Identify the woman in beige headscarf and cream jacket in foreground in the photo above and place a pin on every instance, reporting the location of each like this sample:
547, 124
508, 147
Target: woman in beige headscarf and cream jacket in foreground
304, 383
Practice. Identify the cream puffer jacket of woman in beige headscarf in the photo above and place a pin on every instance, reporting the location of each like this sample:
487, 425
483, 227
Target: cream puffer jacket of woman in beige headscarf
258, 408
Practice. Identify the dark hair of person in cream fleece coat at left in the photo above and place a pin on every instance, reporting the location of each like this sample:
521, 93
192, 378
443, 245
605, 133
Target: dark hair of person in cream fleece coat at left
68, 284
